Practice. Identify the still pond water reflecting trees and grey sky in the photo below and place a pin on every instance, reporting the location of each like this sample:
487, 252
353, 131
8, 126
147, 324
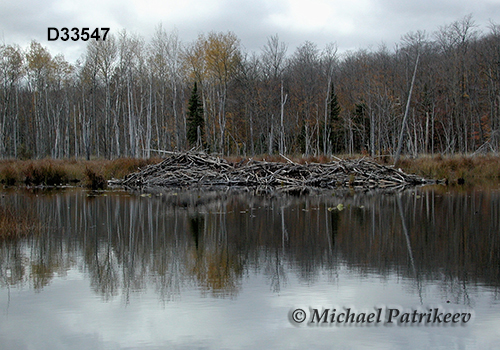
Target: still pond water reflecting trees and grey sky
226, 270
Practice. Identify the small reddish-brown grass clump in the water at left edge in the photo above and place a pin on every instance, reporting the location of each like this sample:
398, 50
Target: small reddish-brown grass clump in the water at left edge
16, 224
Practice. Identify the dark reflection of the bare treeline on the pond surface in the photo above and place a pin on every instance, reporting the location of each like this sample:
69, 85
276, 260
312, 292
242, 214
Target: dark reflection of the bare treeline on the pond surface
127, 243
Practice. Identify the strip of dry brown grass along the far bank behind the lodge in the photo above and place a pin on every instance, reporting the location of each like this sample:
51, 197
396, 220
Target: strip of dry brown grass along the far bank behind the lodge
453, 169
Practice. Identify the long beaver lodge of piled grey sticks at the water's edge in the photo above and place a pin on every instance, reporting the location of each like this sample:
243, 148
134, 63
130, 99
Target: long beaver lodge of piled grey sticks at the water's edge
191, 170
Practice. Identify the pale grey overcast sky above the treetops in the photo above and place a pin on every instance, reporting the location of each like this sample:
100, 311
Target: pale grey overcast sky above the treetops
352, 24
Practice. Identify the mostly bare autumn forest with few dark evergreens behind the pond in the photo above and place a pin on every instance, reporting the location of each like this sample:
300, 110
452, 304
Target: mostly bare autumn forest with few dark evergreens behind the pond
130, 97
